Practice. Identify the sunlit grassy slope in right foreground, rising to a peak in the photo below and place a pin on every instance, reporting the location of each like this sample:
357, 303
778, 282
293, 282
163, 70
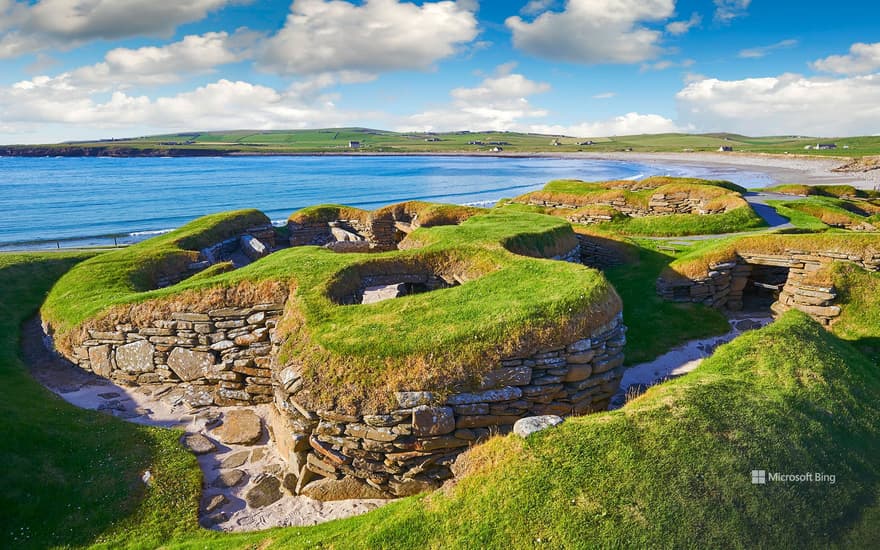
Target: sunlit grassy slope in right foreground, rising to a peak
671, 469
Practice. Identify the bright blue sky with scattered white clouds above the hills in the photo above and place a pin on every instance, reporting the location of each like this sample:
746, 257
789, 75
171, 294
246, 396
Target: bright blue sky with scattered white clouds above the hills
89, 69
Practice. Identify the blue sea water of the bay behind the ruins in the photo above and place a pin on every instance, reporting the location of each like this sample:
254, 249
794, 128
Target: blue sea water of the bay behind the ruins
49, 202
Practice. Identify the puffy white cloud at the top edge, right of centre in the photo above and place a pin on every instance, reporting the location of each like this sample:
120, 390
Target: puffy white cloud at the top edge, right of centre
594, 31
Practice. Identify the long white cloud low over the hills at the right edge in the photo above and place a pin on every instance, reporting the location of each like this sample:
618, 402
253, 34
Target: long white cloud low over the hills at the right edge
787, 104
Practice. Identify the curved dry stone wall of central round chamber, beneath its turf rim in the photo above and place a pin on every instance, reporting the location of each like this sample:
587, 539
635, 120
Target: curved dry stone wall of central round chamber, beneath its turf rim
411, 448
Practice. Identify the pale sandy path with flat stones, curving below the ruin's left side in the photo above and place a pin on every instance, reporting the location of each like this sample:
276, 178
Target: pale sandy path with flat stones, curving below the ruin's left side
162, 406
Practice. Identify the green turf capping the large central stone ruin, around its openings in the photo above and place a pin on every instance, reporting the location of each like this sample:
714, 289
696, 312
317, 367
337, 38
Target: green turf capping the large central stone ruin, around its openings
511, 301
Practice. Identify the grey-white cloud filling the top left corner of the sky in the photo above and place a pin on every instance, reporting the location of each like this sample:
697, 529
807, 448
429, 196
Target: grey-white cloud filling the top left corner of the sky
45, 24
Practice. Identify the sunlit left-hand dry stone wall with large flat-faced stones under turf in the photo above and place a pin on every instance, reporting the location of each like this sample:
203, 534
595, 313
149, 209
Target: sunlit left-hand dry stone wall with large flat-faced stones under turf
222, 356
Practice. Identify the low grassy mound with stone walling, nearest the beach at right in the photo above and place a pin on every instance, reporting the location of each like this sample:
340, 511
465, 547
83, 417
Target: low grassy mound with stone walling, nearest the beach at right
603, 201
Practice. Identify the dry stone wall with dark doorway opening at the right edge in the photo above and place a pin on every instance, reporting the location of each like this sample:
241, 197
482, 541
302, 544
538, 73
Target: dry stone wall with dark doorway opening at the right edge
724, 285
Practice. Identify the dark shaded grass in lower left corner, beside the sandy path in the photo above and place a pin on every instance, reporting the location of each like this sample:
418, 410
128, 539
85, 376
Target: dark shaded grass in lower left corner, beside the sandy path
72, 477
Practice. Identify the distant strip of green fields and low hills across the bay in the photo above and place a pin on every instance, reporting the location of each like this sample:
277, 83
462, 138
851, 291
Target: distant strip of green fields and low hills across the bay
336, 140
